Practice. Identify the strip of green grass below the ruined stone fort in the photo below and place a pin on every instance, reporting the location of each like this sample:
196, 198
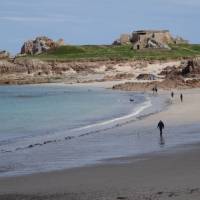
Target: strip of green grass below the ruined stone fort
109, 52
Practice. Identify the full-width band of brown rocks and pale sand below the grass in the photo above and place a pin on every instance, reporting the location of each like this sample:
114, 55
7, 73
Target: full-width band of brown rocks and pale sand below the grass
26, 71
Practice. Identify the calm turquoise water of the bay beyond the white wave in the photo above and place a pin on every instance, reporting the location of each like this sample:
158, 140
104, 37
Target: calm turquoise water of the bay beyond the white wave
39, 110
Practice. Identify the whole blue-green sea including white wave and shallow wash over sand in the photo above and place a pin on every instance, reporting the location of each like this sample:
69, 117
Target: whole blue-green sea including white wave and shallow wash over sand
53, 127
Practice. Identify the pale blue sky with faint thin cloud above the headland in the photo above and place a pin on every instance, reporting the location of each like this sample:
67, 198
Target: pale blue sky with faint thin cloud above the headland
94, 21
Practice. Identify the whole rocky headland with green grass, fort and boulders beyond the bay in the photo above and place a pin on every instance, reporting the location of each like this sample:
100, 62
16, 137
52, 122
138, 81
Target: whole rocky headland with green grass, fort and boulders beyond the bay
144, 58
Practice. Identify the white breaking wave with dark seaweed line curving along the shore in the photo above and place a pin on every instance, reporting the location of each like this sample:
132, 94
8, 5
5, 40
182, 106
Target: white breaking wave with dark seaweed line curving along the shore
37, 141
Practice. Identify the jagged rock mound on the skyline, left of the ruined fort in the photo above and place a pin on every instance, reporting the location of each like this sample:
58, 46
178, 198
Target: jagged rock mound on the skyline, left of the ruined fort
40, 45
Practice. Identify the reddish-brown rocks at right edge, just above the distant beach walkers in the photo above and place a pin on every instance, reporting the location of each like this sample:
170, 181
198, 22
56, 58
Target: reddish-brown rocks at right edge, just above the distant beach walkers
187, 75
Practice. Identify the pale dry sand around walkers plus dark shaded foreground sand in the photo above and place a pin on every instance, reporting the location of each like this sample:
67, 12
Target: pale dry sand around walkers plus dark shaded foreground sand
169, 174
